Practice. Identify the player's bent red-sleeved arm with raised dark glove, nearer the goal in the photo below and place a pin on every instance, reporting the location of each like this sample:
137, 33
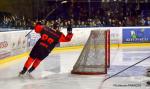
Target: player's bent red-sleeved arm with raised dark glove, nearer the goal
69, 35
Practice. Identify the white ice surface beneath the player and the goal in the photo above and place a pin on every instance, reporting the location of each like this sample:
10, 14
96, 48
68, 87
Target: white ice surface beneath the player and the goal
54, 72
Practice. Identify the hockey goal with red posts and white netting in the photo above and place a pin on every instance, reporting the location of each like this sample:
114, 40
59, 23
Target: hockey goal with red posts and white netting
95, 56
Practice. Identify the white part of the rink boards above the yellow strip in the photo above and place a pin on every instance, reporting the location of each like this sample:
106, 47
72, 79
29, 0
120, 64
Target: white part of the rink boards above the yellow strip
15, 40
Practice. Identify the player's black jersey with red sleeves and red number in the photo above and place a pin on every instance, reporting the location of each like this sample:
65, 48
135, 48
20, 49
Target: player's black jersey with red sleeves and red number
49, 37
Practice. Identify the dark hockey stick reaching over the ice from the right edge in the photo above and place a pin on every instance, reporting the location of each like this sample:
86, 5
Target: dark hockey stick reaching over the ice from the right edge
123, 70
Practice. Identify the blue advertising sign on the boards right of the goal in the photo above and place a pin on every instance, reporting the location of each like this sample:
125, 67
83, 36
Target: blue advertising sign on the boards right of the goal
136, 35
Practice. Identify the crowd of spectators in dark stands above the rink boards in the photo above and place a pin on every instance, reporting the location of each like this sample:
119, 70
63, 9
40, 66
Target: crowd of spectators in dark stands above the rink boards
117, 15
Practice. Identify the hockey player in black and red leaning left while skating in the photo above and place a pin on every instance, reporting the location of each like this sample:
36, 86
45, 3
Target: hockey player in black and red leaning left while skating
49, 38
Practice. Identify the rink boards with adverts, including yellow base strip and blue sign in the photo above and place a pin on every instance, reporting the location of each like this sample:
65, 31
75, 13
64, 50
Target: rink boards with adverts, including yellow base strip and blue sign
14, 46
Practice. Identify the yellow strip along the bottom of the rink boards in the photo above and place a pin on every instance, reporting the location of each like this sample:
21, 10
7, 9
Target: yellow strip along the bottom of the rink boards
72, 48
